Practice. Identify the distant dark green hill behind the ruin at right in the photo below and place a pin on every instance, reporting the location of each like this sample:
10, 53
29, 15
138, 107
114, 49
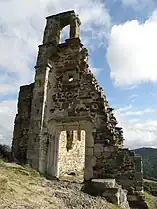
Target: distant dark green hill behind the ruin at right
149, 156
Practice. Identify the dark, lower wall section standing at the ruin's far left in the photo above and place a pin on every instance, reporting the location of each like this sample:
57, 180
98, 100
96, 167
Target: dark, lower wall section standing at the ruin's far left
22, 122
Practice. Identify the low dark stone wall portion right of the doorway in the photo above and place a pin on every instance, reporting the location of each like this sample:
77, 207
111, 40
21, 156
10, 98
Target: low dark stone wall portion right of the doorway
120, 164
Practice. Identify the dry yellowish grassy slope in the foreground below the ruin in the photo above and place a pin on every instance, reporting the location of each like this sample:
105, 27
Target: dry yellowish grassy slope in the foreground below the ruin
23, 187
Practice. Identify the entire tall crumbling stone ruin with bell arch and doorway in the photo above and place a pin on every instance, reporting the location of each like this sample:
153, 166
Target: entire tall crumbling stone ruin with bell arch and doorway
65, 126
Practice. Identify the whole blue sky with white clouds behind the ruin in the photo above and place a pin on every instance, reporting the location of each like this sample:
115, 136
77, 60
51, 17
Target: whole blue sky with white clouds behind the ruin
121, 36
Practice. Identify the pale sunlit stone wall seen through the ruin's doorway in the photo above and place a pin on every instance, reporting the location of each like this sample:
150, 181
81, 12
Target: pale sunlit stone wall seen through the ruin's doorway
71, 155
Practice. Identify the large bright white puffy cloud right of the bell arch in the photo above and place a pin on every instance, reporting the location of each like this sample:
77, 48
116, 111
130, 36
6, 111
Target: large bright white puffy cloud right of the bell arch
132, 50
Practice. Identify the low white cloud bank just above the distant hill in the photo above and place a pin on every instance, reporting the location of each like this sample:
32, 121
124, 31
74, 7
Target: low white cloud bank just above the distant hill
137, 132
